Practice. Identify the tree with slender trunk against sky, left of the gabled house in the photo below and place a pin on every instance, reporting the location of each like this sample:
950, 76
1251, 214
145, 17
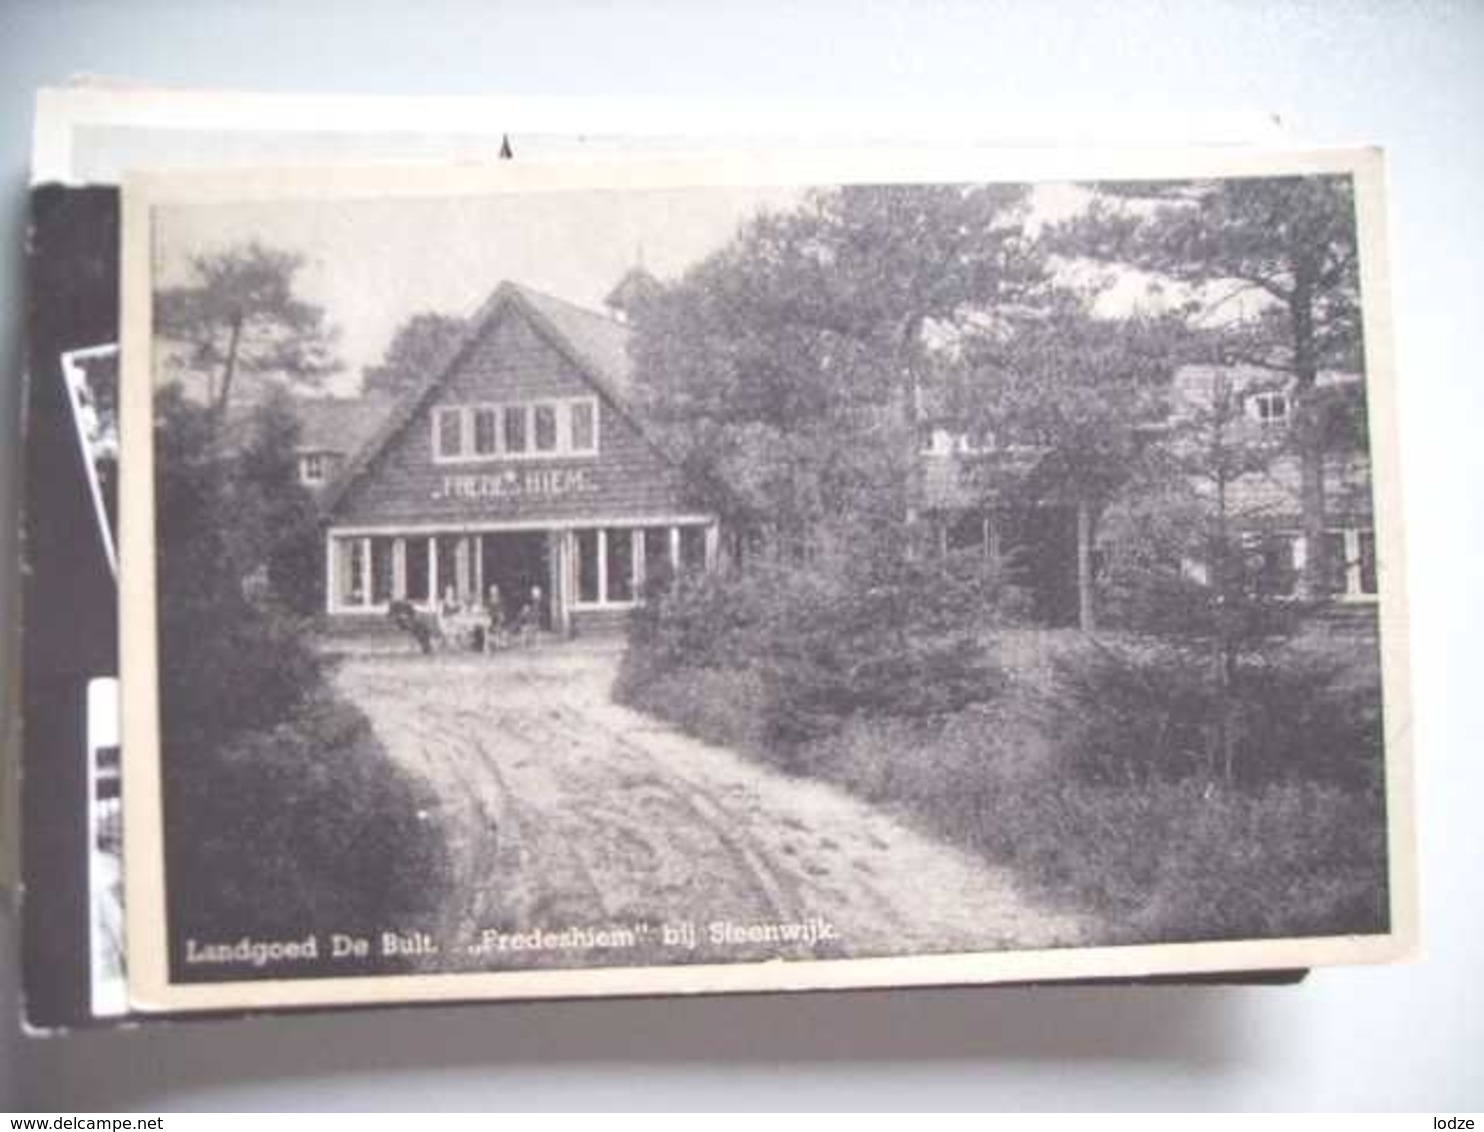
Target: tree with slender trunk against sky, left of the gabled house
238, 312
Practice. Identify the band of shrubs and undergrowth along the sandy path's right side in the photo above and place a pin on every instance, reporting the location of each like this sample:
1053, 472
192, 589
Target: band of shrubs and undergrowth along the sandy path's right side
1091, 778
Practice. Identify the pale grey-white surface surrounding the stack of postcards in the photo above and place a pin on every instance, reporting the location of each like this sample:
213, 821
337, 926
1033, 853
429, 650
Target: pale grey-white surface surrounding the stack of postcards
1406, 76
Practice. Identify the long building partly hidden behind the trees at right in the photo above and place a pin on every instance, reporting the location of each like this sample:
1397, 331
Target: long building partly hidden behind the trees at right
983, 496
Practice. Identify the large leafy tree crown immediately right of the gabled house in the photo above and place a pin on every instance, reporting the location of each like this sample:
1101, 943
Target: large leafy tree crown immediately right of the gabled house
787, 369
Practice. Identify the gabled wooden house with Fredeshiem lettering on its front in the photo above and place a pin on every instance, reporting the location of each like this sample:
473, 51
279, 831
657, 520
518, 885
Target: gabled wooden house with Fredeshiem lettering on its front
519, 464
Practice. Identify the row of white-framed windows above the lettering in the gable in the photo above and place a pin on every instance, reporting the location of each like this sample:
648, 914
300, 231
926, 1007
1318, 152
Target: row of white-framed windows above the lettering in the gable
516, 431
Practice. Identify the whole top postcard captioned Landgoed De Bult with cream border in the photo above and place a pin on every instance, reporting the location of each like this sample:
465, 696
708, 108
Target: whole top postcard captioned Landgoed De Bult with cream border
759, 572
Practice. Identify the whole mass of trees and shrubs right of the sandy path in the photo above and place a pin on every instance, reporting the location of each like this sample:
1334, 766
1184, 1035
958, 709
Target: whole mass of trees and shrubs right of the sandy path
1197, 775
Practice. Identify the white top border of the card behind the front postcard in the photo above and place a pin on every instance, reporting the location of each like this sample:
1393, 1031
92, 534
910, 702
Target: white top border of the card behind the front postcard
637, 124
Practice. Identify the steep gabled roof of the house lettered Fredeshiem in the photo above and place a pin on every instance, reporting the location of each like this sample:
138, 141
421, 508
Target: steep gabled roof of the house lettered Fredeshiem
594, 345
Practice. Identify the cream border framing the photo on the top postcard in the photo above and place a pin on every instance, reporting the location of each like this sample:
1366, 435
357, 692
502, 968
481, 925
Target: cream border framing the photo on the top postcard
149, 973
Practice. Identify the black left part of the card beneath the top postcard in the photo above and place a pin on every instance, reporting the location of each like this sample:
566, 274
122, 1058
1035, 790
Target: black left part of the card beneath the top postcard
69, 590
